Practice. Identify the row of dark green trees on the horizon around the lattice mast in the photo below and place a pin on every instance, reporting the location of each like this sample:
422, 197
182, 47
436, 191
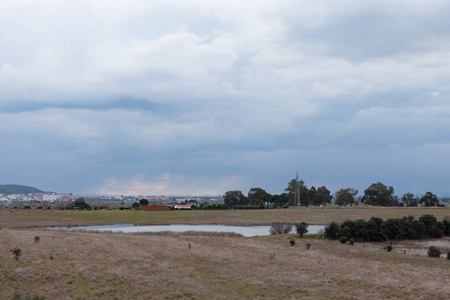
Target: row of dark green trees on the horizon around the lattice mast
377, 194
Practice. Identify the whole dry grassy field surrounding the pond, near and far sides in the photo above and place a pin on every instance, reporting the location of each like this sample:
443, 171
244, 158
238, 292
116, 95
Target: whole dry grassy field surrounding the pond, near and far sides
56, 264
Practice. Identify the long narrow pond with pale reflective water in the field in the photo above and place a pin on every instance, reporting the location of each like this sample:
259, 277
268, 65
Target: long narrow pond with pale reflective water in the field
247, 231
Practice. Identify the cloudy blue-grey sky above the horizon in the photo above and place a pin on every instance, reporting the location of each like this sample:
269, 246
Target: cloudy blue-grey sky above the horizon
199, 97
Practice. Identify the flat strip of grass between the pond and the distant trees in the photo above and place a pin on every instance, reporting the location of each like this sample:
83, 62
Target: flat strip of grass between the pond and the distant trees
319, 216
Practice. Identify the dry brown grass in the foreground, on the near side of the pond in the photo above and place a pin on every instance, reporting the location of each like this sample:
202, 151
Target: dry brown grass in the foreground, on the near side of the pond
80, 265
